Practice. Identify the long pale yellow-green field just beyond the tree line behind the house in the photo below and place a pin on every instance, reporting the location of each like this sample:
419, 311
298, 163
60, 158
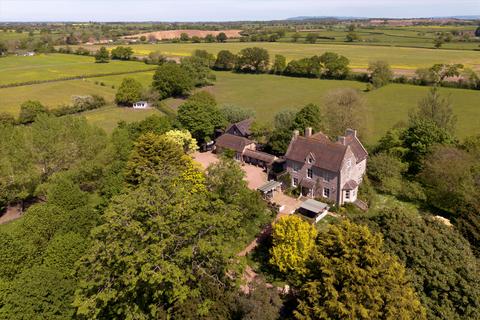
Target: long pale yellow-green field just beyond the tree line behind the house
359, 55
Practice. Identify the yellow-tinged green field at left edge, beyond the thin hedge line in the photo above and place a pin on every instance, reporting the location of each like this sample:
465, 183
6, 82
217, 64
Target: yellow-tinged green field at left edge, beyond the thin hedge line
54, 66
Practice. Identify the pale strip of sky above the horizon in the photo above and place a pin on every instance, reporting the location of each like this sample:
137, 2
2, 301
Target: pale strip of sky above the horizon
226, 10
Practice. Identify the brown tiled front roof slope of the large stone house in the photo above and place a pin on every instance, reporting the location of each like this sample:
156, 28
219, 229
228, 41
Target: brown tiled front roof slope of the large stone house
328, 155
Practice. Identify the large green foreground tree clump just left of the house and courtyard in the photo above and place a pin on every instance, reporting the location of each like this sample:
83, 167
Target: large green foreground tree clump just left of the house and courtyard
211, 214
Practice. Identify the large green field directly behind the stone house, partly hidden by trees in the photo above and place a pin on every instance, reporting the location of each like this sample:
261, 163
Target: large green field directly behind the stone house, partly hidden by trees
268, 94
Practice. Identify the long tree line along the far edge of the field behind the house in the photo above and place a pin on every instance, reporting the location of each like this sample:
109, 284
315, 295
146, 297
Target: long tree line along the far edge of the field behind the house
331, 65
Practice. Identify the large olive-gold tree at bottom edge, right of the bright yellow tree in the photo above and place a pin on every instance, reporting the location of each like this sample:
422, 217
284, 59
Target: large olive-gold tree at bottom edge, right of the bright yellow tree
351, 277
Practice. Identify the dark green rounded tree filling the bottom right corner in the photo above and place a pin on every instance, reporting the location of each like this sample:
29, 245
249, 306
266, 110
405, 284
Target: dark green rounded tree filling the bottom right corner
444, 255
